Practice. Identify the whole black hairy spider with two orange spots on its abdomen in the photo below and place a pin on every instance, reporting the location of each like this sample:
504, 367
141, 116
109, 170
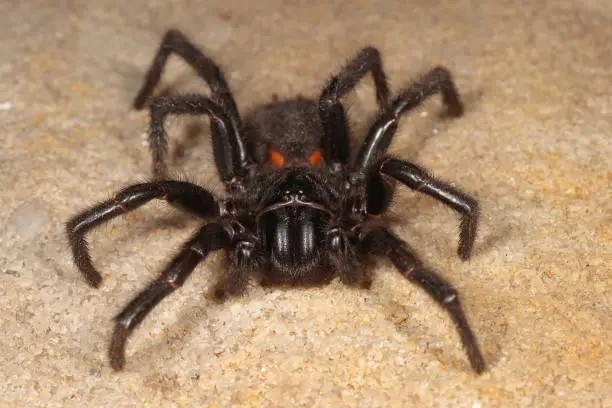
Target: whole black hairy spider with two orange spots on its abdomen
298, 210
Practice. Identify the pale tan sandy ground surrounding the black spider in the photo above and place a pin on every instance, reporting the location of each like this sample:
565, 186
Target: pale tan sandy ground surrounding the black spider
533, 147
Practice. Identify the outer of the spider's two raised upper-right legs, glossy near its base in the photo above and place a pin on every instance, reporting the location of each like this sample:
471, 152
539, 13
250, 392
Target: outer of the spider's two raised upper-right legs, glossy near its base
380, 134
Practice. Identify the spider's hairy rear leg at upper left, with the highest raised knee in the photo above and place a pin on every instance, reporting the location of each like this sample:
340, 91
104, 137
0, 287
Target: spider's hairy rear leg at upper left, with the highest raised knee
175, 42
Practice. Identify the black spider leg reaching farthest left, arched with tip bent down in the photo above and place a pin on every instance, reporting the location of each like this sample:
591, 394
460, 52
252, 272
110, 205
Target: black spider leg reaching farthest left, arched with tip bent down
185, 195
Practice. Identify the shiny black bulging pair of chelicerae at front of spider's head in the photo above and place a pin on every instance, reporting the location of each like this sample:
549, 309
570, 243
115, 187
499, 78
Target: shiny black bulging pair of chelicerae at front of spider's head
293, 237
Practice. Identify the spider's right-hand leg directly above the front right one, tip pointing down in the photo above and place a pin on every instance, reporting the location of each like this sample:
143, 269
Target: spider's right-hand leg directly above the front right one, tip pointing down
417, 179
